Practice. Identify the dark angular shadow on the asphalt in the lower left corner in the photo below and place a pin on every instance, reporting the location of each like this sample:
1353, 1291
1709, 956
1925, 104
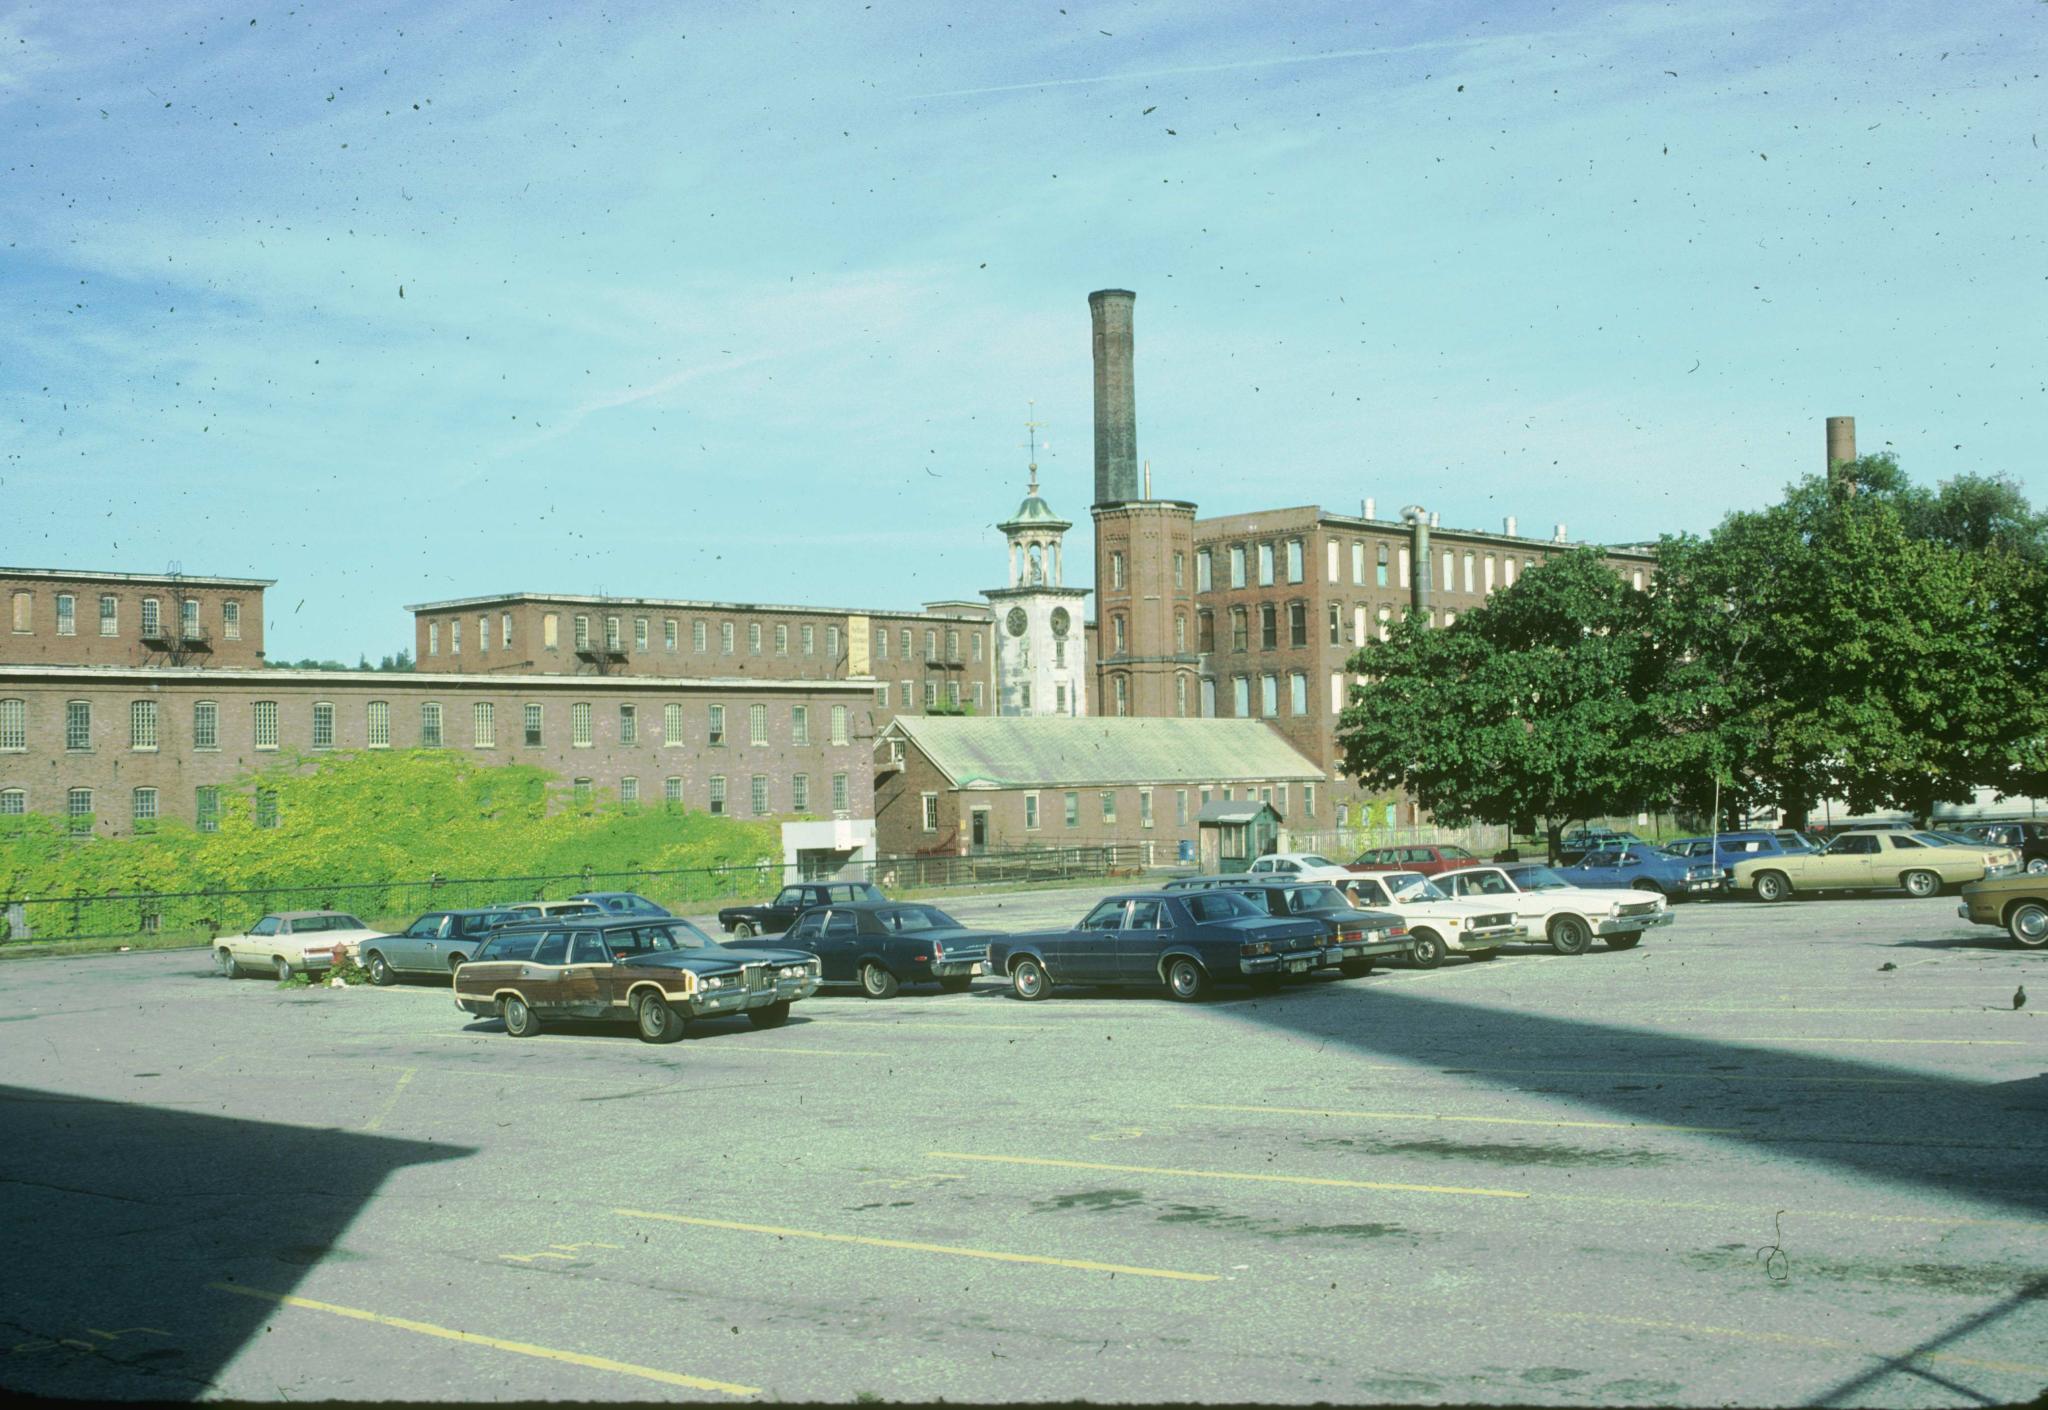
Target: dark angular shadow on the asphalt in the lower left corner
120, 1218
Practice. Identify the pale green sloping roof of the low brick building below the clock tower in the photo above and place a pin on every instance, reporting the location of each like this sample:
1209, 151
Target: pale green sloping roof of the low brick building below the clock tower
1058, 751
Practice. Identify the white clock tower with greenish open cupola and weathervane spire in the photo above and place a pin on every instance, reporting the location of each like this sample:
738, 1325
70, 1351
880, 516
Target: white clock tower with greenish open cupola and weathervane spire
1041, 649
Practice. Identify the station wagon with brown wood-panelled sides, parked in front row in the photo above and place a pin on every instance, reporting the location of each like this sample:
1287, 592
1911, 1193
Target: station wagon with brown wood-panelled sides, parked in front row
654, 974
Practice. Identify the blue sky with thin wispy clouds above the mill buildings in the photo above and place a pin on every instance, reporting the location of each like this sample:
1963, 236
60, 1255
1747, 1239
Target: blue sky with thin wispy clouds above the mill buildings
753, 304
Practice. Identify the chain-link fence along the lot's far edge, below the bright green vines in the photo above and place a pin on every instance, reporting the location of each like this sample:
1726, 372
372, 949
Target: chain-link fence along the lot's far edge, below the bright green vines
230, 911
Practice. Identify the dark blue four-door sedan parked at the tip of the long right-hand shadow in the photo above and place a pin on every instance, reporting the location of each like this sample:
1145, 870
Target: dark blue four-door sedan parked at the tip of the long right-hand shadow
1185, 942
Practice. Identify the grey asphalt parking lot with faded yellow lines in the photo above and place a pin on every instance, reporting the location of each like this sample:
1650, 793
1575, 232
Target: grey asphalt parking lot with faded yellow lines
1779, 1155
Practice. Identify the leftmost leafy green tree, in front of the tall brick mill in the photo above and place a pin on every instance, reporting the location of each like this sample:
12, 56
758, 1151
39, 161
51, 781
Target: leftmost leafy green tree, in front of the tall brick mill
1525, 710
